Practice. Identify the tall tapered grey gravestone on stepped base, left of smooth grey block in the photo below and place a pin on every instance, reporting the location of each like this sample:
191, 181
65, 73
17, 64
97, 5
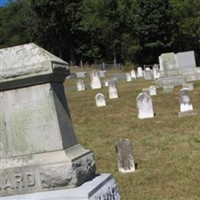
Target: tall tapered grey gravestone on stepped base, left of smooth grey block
170, 73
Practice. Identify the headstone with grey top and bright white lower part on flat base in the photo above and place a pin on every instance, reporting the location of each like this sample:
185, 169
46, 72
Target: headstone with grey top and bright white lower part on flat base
186, 107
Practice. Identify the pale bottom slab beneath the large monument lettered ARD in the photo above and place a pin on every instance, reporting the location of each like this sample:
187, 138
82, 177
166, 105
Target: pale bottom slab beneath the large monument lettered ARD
101, 187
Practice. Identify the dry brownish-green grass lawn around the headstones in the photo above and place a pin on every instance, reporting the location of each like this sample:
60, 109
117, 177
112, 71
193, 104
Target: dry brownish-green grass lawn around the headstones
166, 147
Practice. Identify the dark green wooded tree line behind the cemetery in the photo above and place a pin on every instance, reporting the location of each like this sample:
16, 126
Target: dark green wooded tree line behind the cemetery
113, 31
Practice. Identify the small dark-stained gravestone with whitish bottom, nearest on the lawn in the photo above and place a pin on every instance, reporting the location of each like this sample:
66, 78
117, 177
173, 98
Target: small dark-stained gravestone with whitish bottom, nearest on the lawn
124, 154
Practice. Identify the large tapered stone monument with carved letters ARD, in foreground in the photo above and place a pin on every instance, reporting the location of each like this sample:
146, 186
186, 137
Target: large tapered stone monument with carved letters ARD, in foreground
38, 148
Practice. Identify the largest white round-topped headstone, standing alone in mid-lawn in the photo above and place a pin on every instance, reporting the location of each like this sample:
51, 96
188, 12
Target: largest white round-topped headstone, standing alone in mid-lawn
145, 106
